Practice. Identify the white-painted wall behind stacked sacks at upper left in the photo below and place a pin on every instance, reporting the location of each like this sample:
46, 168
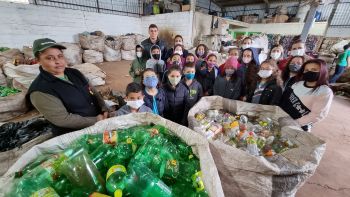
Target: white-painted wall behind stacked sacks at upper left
21, 24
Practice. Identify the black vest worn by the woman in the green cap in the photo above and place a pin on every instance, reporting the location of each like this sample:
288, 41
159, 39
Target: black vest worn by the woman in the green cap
76, 97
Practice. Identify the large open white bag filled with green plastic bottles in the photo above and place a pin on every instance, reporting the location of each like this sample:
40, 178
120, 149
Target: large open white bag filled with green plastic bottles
209, 178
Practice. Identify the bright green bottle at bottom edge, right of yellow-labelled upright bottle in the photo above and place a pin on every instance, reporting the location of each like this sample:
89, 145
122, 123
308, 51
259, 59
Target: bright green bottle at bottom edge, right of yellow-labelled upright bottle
142, 182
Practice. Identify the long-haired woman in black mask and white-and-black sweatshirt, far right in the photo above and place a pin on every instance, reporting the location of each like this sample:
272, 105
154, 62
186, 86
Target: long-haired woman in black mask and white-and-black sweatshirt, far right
309, 100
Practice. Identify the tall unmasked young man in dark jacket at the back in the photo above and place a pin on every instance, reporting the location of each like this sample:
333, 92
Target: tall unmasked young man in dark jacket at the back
153, 40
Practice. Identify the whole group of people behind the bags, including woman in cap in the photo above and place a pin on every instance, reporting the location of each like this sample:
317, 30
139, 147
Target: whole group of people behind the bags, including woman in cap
169, 82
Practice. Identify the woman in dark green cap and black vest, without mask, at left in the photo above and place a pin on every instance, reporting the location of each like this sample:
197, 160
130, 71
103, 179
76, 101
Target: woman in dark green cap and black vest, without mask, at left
63, 95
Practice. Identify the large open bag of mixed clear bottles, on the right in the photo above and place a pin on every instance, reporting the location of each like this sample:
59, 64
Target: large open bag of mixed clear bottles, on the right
244, 167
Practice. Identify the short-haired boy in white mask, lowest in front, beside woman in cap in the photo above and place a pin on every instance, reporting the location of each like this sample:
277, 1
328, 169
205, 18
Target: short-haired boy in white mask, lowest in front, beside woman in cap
134, 100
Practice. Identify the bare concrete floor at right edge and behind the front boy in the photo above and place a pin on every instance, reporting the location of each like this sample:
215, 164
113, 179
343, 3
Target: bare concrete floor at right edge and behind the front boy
332, 177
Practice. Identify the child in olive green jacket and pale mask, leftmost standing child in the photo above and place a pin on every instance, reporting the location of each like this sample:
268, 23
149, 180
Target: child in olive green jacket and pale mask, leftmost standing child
137, 65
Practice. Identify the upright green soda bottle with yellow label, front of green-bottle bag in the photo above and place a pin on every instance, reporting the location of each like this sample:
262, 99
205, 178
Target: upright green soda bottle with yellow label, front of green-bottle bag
115, 180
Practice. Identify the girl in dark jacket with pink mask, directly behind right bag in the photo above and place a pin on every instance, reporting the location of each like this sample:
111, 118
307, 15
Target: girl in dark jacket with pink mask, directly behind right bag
227, 84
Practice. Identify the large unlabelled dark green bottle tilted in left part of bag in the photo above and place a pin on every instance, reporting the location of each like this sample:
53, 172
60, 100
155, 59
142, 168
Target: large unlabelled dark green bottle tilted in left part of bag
82, 172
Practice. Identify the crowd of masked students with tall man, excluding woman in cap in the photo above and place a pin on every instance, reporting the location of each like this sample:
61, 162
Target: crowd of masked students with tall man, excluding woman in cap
173, 80
